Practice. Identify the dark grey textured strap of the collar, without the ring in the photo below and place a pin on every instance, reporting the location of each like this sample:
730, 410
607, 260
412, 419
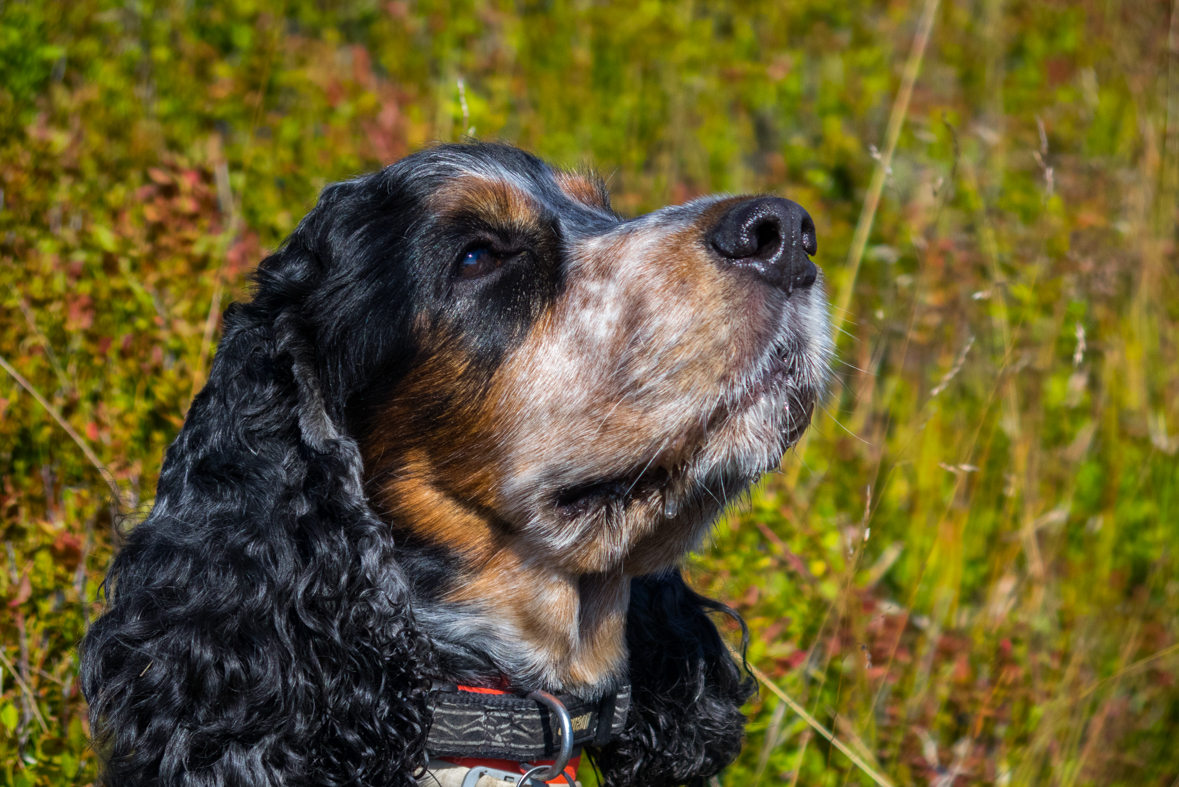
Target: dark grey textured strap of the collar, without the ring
493, 724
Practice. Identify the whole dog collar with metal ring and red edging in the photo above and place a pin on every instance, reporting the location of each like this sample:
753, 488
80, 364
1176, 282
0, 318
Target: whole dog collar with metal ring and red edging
506, 736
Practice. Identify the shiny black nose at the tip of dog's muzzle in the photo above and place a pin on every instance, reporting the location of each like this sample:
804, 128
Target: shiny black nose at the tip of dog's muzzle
772, 237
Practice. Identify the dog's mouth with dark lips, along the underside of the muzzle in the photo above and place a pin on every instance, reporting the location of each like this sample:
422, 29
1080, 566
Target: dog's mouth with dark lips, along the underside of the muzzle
773, 396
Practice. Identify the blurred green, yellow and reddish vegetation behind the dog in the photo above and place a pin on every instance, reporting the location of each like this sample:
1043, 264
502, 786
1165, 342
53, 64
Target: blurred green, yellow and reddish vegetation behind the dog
969, 573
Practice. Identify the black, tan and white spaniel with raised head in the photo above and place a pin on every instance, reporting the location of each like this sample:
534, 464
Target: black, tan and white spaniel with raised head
464, 435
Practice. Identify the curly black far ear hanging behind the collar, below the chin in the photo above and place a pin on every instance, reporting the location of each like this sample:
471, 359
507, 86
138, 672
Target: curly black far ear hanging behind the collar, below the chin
686, 722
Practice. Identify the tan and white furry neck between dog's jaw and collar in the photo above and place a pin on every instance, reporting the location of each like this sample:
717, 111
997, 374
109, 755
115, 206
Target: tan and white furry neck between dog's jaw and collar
515, 623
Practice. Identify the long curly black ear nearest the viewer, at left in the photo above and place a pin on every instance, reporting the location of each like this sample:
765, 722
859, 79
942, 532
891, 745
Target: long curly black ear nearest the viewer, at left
259, 630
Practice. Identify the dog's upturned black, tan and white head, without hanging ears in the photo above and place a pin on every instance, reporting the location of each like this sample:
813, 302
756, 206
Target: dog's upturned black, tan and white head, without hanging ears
524, 367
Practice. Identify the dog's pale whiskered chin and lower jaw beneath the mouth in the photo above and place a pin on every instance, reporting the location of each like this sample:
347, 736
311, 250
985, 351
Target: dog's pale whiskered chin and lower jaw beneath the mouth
648, 519
